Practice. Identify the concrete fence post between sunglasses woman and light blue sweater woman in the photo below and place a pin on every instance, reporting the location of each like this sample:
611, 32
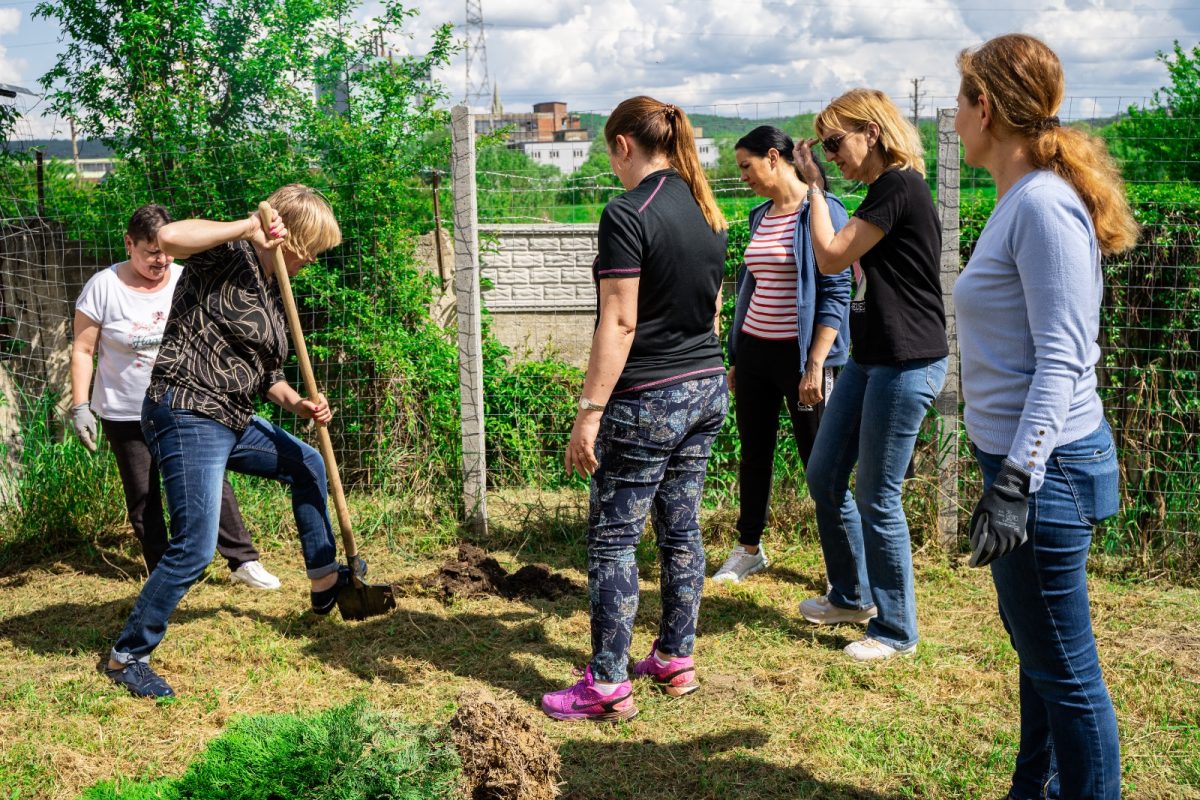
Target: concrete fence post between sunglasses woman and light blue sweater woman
947, 404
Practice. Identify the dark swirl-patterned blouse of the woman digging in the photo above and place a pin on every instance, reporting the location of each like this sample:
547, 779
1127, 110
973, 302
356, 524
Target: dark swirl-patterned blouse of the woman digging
226, 339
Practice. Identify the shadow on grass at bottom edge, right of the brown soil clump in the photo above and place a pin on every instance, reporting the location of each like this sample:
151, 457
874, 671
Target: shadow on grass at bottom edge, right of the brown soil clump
715, 766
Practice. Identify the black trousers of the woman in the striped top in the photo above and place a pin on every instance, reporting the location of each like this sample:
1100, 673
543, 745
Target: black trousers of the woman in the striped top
769, 375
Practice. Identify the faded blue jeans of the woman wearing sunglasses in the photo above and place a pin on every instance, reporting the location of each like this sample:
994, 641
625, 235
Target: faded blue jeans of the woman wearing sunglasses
872, 419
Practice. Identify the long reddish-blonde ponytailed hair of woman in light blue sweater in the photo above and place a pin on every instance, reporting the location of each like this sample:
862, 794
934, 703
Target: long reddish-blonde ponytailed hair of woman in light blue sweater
1023, 81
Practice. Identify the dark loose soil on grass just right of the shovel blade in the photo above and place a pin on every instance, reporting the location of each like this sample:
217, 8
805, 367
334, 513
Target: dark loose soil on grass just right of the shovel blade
477, 574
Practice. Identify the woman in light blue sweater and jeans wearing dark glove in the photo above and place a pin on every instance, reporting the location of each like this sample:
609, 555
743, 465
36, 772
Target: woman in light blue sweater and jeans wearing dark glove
1029, 306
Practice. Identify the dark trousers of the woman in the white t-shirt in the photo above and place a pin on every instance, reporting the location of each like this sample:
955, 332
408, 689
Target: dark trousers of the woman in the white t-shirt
143, 501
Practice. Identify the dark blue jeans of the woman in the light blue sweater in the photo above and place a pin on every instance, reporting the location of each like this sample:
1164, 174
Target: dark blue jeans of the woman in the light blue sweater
1070, 744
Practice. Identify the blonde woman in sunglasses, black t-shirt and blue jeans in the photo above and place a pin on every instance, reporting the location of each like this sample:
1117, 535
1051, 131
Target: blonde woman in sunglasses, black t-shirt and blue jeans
895, 374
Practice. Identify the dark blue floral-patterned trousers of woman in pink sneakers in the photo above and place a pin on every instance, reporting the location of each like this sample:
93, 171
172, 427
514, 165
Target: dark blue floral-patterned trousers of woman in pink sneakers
653, 450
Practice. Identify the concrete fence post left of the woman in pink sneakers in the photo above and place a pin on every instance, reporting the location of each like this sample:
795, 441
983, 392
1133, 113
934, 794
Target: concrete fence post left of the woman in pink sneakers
471, 340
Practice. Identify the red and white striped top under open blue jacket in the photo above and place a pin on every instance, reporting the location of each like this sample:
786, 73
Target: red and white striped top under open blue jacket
771, 258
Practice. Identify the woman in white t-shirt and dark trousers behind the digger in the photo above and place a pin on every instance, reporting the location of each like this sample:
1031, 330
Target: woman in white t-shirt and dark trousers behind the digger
119, 322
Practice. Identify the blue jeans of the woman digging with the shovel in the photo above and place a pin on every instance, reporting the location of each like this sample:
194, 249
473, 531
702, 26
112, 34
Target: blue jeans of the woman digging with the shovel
194, 453
